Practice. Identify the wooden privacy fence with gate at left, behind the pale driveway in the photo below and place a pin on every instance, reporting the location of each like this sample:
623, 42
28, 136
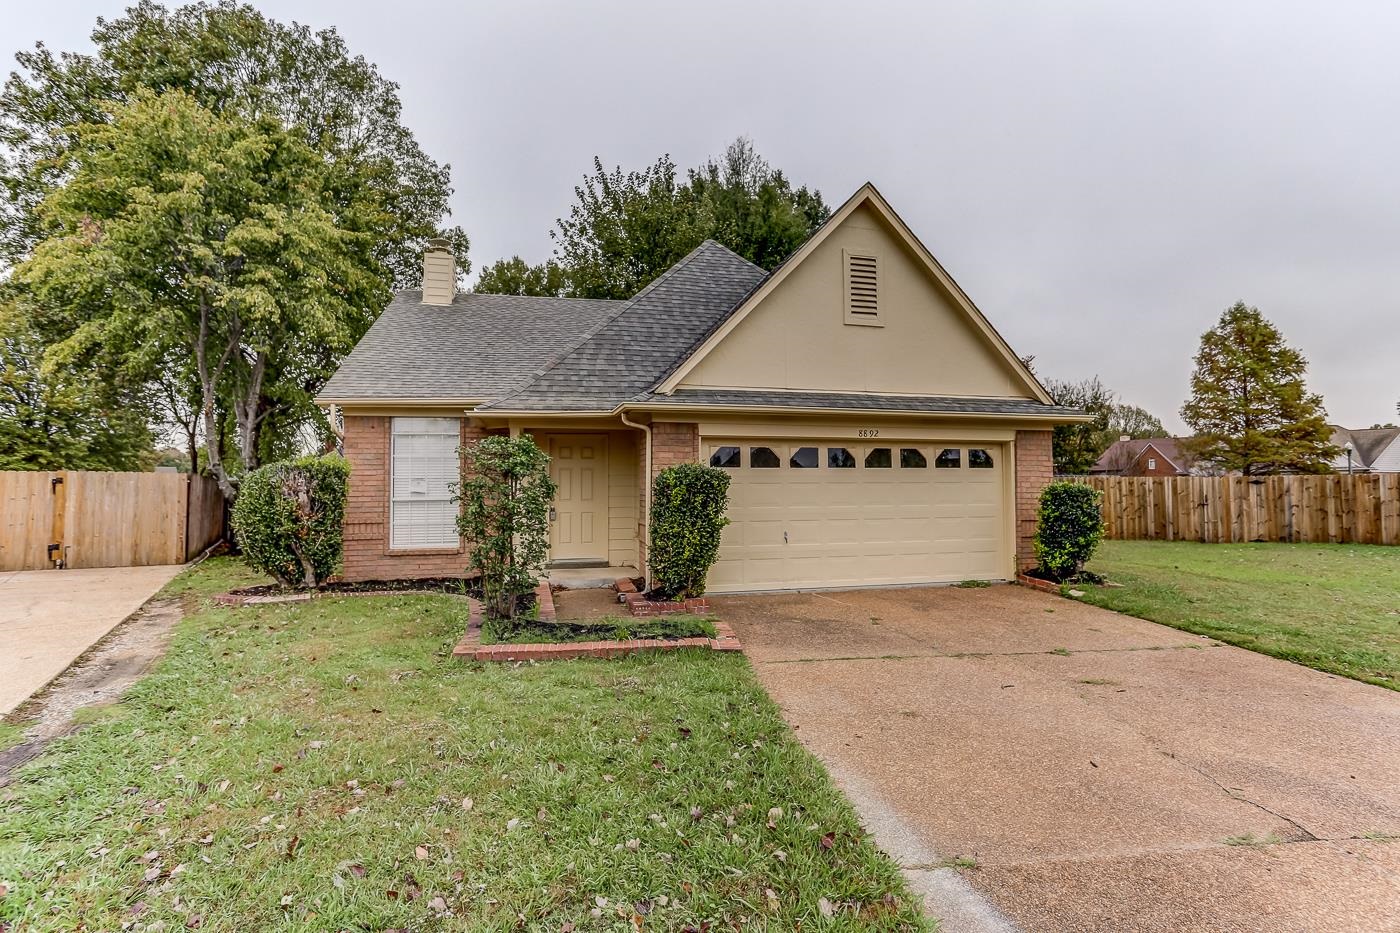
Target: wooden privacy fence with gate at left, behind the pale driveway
82, 519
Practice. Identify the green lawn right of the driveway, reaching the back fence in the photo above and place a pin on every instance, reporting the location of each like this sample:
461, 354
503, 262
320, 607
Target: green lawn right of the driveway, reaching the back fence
1331, 607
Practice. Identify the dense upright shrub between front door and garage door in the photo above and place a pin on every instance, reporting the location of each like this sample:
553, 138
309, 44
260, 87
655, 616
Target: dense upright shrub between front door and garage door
688, 505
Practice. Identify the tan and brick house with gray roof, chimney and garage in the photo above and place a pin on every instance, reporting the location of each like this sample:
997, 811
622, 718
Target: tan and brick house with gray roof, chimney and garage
877, 428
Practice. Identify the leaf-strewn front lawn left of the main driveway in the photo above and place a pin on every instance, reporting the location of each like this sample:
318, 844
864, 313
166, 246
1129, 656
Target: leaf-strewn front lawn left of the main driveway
328, 766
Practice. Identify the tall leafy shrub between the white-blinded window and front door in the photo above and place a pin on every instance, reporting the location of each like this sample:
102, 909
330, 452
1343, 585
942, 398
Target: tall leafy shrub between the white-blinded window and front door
505, 494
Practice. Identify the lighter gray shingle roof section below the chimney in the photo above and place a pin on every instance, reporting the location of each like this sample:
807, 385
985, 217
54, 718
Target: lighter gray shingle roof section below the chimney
479, 347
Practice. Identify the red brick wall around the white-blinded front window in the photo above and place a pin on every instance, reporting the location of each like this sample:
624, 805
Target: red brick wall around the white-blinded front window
367, 554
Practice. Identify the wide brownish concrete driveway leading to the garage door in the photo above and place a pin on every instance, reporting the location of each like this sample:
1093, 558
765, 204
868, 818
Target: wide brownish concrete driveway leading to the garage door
1102, 773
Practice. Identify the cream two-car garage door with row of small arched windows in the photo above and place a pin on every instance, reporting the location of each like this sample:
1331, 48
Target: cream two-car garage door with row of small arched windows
835, 513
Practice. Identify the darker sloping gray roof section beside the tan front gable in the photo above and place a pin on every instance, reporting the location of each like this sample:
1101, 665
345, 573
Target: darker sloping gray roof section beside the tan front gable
631, 352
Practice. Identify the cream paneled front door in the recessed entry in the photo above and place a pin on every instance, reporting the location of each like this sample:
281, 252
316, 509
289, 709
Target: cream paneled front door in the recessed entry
579, 466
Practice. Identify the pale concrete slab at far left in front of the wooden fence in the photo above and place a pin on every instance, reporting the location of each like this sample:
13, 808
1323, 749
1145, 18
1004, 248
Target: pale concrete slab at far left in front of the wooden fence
48, 618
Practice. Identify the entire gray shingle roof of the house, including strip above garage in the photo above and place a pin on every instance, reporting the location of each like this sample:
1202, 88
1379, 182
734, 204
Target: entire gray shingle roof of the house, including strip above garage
561, 355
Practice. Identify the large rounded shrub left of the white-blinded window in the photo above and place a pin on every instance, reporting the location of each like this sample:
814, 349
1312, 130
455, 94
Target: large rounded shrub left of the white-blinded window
289, 519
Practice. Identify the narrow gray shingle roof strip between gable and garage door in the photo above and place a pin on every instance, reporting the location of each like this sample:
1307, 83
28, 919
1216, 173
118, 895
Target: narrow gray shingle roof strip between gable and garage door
948, 406
